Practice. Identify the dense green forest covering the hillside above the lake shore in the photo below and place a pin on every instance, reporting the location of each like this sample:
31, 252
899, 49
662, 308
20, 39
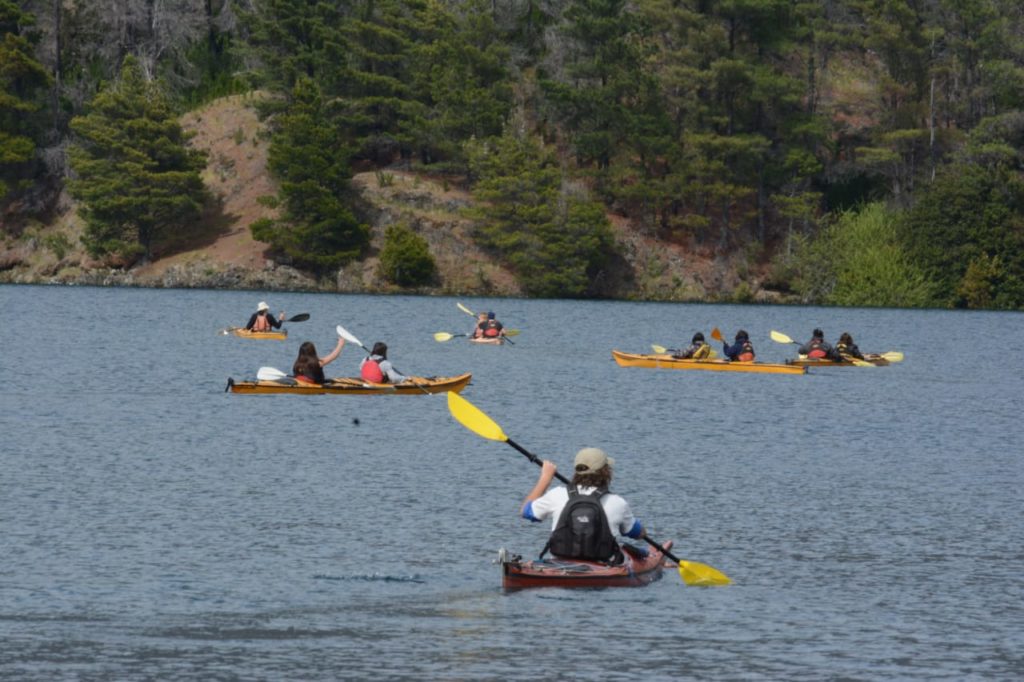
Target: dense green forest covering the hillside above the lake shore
855, 152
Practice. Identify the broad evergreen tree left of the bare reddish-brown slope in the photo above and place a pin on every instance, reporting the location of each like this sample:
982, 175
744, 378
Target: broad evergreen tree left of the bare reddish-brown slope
137, 178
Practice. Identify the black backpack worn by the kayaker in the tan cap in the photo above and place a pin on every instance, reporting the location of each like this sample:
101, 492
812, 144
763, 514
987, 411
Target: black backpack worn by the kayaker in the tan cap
583, 531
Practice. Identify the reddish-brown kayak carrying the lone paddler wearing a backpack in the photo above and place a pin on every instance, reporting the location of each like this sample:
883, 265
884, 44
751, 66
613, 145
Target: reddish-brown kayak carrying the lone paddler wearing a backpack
641, 568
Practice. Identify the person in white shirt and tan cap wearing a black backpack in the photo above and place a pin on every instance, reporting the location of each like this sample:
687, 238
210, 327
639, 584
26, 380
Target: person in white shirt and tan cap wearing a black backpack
586, 517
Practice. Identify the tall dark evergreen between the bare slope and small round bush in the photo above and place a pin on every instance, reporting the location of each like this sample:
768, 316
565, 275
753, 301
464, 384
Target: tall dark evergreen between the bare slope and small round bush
309, 157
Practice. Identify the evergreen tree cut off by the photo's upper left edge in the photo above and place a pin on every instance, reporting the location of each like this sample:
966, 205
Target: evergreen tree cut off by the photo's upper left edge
22, 80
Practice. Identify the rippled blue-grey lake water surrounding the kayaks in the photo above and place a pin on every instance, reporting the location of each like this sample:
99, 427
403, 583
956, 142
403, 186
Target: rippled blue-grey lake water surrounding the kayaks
154, 527
